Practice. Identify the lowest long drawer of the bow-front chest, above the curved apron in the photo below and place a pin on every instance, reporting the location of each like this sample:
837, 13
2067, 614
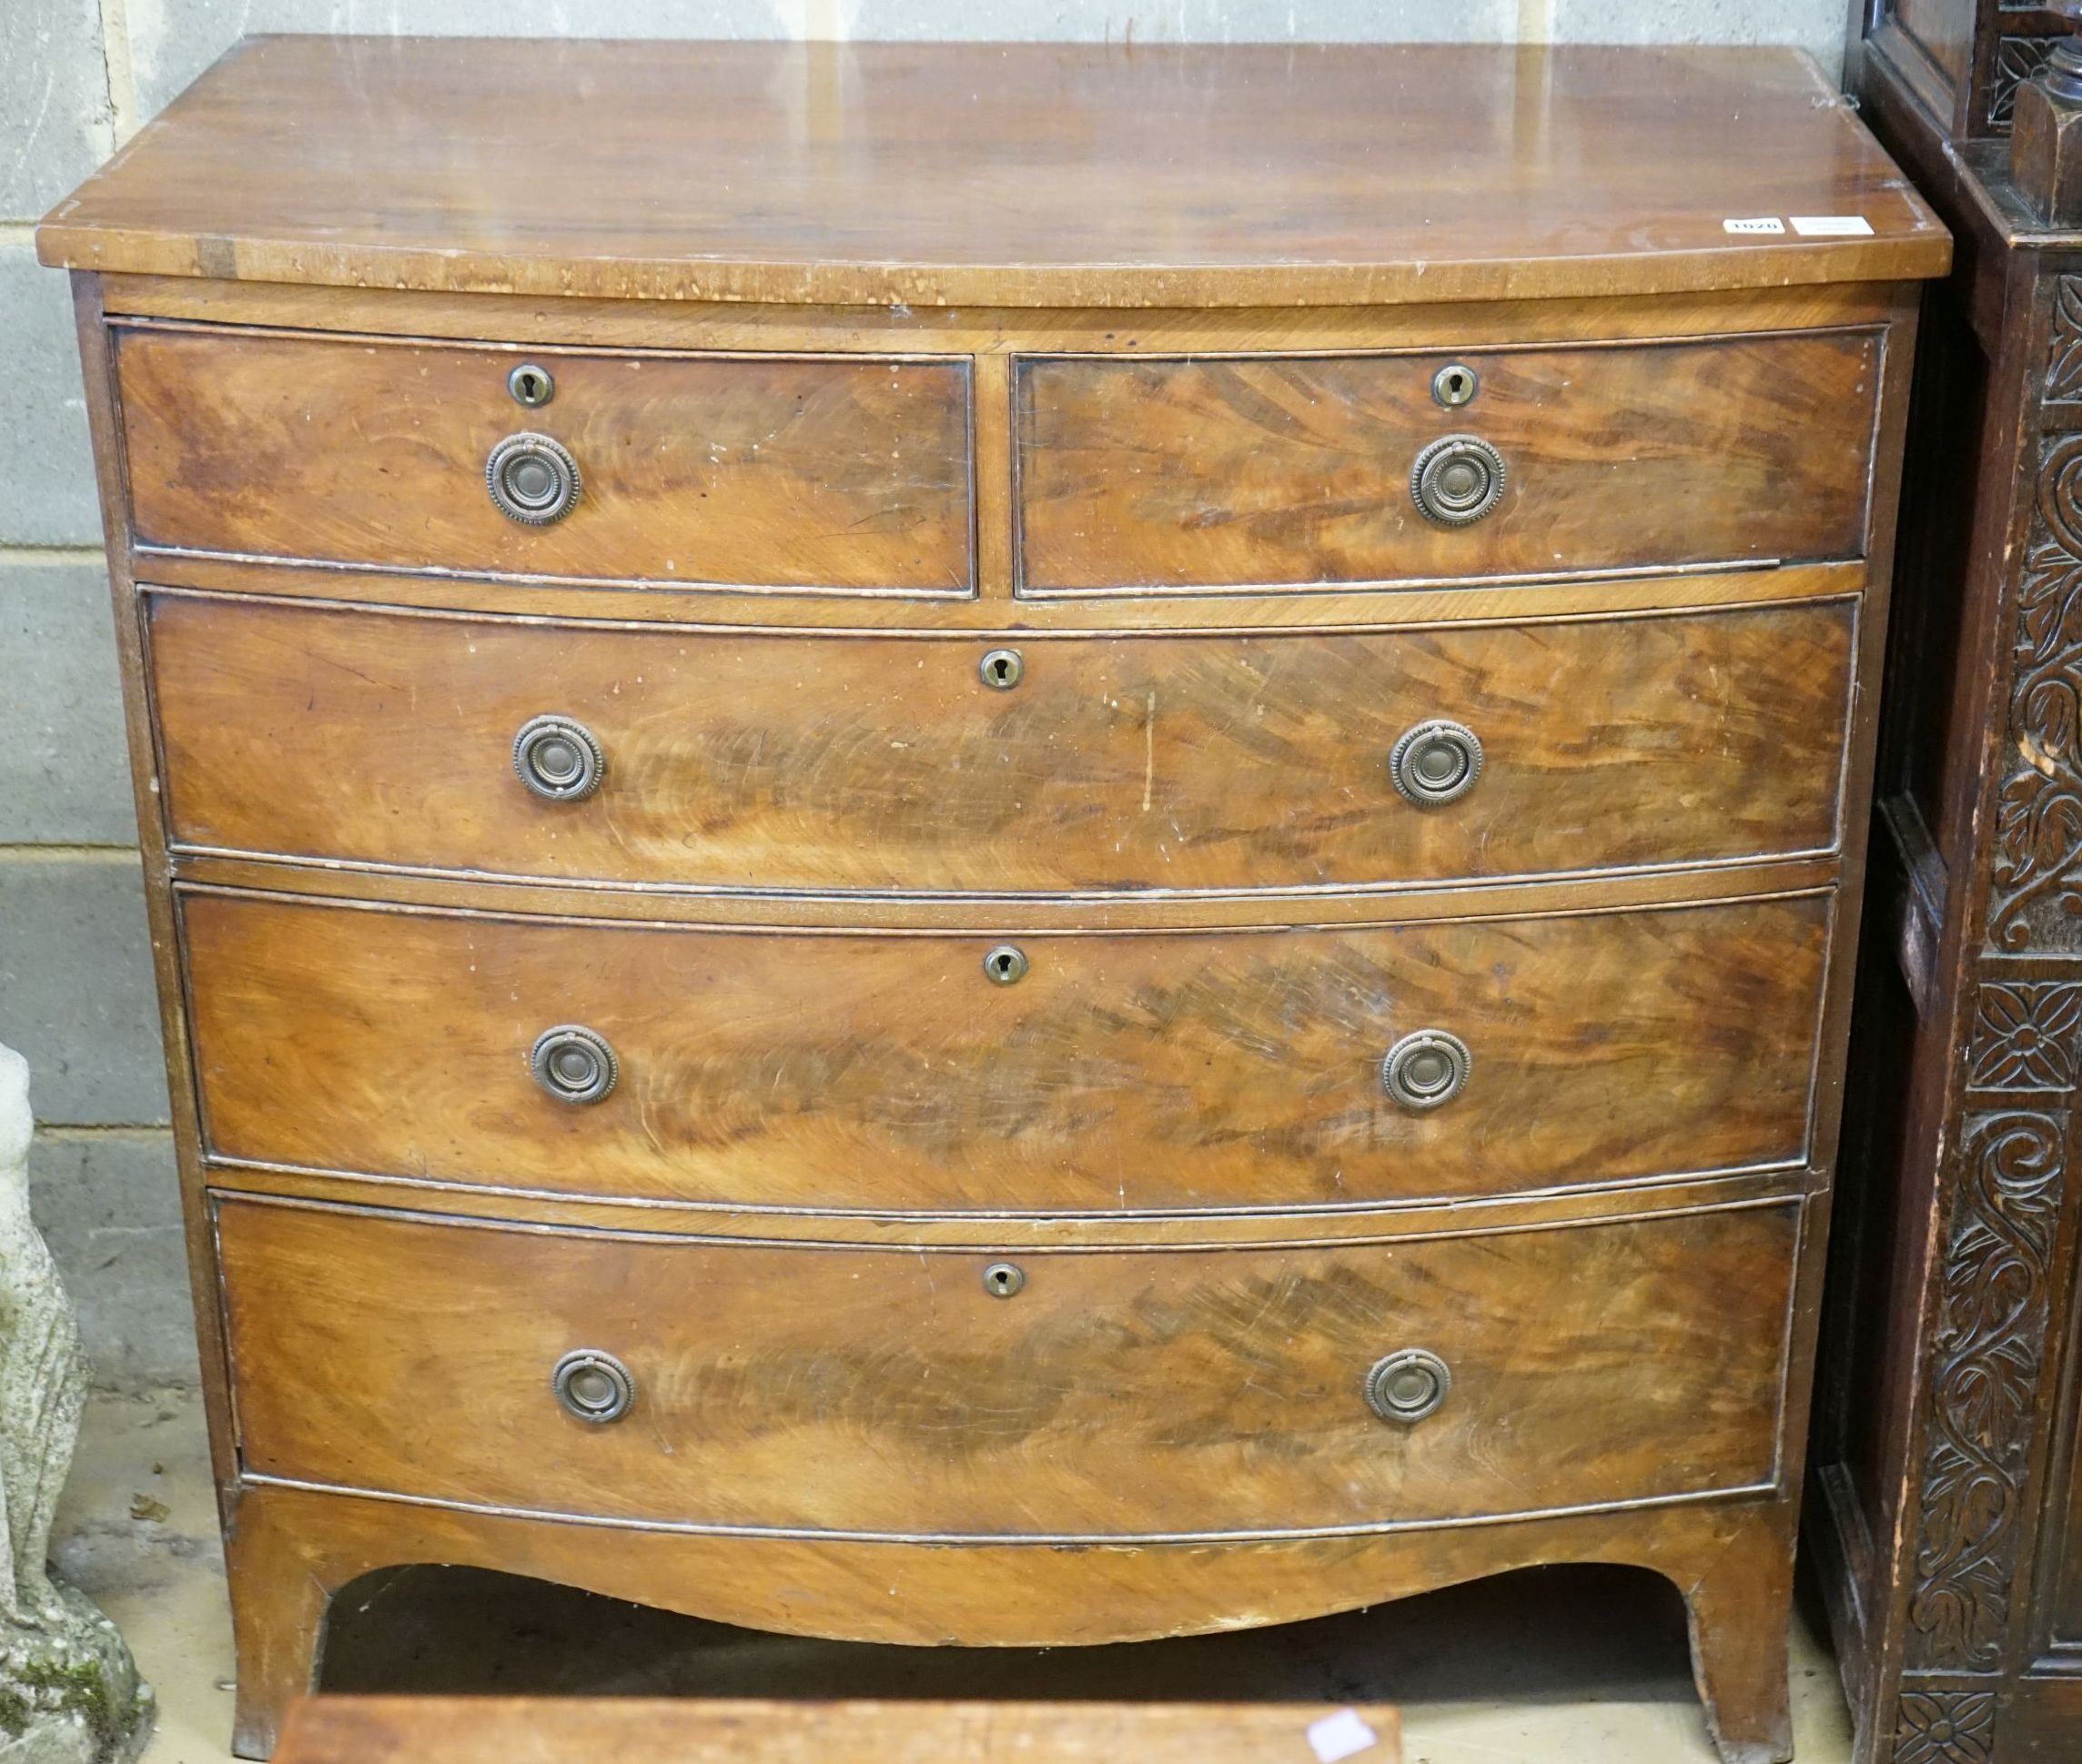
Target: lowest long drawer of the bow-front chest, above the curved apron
832, 1388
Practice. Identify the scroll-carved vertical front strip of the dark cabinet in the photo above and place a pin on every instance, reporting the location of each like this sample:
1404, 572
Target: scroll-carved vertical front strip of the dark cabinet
2010, 1153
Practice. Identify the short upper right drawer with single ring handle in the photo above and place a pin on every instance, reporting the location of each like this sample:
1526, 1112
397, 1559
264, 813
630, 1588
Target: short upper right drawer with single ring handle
1146, 476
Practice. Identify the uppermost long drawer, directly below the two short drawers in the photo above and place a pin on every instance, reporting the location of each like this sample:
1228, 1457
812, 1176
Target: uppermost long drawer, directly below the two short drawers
888, 763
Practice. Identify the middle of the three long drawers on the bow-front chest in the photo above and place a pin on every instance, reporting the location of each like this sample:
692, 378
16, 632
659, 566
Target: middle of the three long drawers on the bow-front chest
898, 1072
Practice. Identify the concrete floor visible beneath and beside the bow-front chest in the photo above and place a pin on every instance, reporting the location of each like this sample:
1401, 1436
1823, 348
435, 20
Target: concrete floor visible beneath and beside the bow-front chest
1548, 1667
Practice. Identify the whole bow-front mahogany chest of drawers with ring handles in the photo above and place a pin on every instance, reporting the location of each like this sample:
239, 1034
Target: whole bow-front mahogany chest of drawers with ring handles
1005, 845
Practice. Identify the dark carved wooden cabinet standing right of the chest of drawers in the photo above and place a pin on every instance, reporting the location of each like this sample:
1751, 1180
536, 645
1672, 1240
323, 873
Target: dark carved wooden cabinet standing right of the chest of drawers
1948, 1488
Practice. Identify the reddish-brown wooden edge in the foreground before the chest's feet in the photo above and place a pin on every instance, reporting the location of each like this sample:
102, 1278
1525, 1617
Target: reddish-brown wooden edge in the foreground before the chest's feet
753, 1732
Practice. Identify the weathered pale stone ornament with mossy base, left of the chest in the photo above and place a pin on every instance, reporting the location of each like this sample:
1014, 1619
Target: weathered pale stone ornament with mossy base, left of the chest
70, 1690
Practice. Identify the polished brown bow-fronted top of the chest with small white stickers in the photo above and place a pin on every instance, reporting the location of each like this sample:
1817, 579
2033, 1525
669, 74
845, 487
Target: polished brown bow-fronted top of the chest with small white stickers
1002, 174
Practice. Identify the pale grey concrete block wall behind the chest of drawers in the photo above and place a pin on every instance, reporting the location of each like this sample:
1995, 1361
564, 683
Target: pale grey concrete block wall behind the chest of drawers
78, 78
